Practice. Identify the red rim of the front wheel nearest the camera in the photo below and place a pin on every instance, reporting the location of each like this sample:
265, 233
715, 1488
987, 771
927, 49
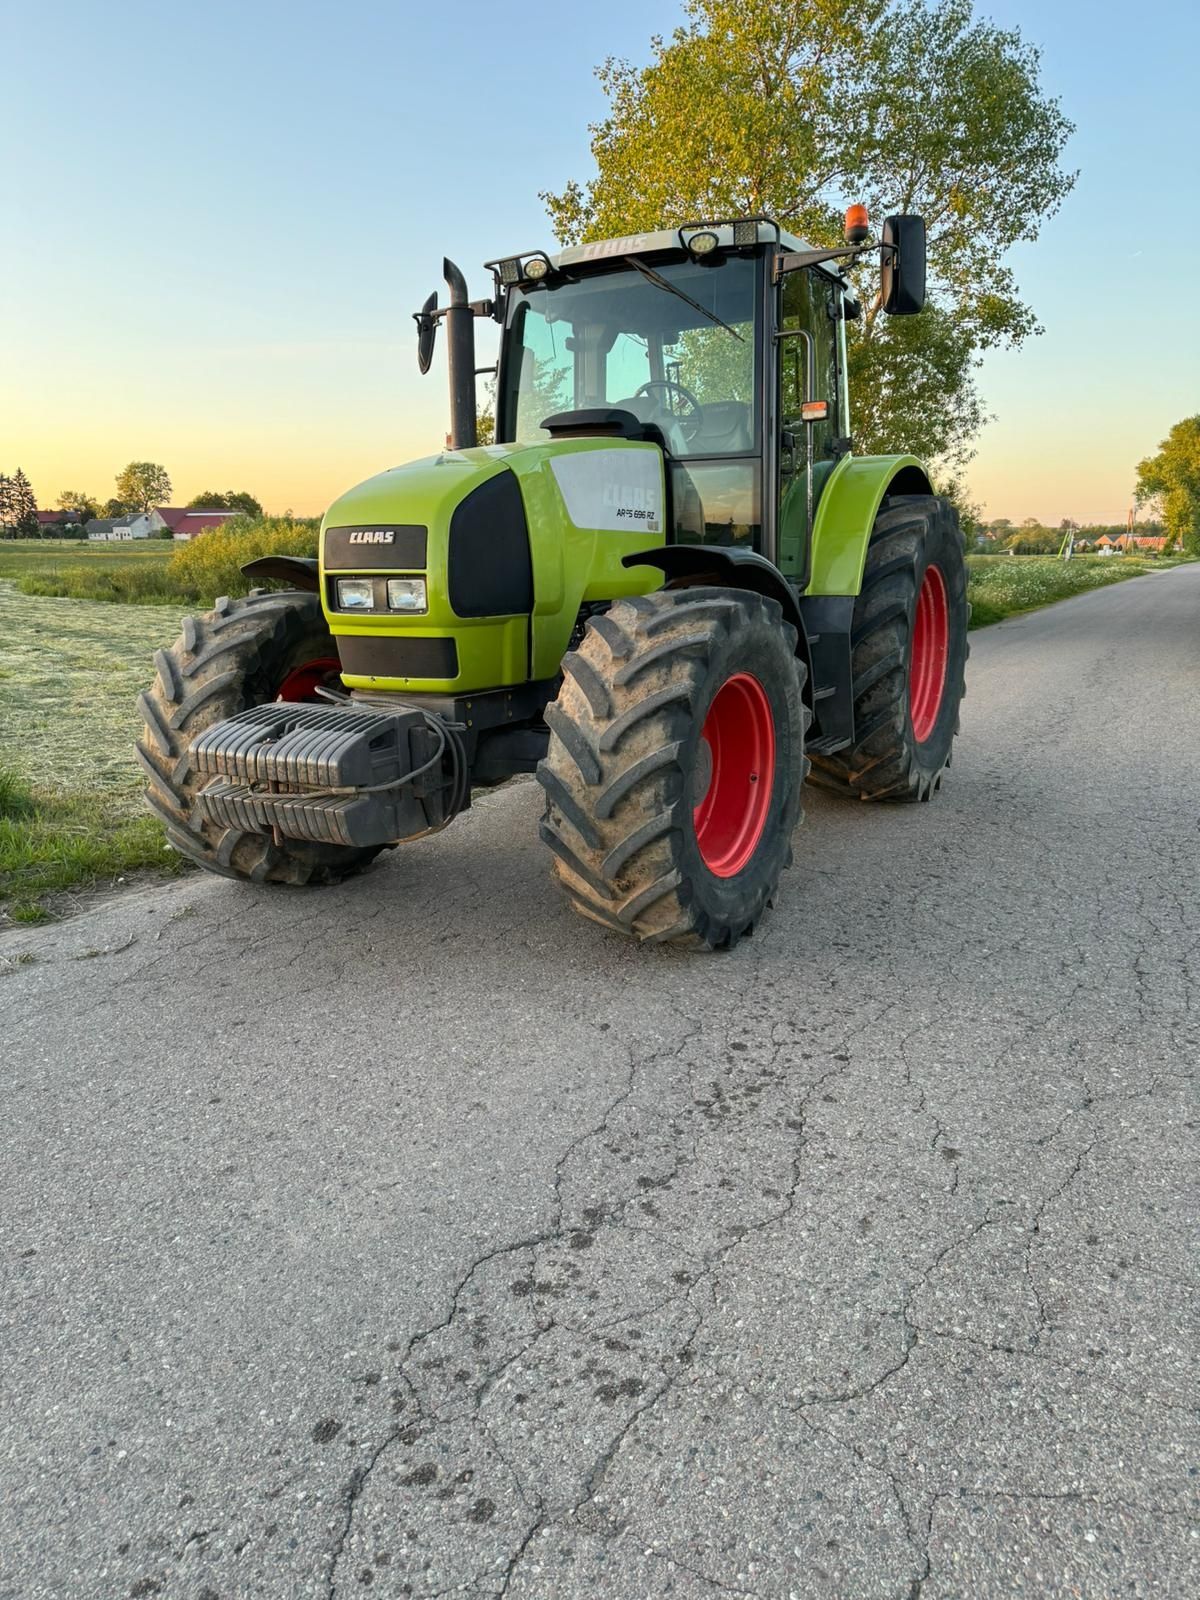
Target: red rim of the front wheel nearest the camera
738, 737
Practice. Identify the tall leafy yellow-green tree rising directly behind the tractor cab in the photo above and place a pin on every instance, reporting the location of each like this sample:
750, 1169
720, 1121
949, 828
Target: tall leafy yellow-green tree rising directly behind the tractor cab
793, 108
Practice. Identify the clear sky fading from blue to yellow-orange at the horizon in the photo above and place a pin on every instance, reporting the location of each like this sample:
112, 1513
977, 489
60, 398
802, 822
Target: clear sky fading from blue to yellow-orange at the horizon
220, 218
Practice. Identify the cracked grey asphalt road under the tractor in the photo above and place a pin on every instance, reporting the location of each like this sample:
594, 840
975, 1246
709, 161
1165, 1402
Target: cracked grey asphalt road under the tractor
420, 1239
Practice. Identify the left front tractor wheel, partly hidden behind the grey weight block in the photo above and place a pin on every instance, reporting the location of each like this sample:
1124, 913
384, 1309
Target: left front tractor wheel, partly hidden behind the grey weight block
244, 654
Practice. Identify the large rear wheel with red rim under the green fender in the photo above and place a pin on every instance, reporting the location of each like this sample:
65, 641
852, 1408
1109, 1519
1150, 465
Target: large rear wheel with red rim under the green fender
910, 654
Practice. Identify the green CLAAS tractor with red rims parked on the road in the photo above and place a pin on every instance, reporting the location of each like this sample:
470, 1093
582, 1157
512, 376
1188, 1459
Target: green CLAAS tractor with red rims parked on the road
668, 590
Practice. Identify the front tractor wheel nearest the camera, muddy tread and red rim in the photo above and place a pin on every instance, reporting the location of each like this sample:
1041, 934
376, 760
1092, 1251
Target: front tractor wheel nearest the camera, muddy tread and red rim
673, 711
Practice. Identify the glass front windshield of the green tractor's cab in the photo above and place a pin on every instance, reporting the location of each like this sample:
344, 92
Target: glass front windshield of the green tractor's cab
620, 340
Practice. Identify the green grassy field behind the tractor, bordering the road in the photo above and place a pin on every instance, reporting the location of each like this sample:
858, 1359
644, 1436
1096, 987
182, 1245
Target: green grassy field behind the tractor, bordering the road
71, 815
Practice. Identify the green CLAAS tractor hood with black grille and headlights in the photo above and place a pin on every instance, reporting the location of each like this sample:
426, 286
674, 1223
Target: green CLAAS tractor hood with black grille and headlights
510, 542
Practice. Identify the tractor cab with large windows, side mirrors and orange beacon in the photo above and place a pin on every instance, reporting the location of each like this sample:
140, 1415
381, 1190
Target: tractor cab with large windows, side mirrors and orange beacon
721, 342
